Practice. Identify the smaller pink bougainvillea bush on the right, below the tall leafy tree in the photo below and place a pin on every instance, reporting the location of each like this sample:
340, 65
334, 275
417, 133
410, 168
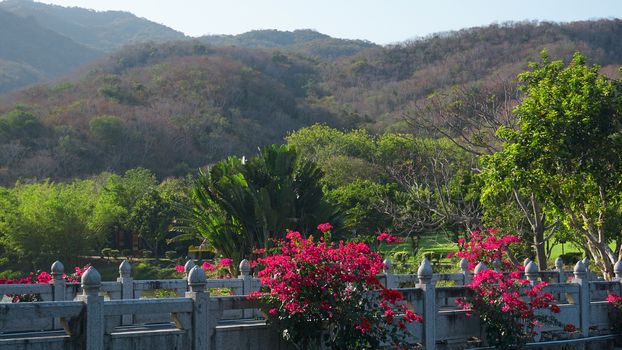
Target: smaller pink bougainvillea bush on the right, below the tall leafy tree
505, 302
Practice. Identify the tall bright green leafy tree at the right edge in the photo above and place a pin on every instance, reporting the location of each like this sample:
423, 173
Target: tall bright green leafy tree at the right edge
567, 151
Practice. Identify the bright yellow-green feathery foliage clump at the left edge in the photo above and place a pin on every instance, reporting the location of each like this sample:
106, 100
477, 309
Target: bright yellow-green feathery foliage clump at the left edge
49, 221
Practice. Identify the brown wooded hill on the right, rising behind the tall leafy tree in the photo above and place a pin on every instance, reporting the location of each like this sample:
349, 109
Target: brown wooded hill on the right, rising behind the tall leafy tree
382, 85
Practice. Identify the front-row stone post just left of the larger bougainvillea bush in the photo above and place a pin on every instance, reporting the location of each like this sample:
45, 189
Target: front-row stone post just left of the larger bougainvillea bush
201, 327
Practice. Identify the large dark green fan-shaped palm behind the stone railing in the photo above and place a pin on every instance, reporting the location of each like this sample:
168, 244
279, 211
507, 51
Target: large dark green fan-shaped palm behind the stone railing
240, 205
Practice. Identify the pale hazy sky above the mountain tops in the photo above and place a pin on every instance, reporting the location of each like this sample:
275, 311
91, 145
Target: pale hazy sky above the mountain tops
380, 21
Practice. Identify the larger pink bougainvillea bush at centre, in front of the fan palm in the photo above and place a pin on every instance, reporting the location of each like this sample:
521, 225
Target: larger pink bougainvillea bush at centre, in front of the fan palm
320, 290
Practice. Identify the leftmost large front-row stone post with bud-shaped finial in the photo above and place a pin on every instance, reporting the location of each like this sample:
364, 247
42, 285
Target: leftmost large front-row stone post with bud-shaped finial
93, 337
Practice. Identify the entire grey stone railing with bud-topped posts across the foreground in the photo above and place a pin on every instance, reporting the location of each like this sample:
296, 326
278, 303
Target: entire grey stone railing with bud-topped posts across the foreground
97, 315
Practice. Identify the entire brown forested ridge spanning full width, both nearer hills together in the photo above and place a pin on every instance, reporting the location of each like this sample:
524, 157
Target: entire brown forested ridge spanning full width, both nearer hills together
176, 106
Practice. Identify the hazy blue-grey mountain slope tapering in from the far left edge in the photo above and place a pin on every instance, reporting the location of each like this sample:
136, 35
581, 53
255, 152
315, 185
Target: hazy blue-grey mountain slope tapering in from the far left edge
31, 53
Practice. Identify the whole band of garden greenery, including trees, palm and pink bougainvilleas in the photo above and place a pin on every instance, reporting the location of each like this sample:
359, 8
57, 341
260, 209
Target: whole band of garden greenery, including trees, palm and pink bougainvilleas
544, 166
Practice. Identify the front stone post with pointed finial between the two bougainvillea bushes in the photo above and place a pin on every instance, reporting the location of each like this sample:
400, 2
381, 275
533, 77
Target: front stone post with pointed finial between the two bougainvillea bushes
424, 273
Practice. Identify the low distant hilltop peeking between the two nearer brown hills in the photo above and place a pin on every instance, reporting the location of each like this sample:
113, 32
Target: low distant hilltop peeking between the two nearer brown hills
307, 42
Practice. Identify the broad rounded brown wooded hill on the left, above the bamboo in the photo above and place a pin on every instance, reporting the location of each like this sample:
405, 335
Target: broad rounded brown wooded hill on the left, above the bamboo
169, 107
